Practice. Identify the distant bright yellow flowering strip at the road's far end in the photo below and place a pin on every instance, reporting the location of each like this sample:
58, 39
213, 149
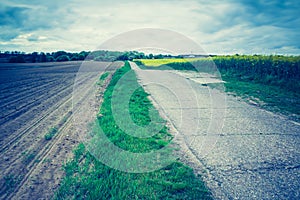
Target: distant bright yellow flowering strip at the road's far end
164, 61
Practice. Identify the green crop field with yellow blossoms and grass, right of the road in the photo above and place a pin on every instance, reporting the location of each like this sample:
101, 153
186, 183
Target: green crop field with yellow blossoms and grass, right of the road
272, 92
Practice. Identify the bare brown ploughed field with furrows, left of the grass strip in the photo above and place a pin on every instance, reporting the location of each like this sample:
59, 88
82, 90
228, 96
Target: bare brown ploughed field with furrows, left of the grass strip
40, 98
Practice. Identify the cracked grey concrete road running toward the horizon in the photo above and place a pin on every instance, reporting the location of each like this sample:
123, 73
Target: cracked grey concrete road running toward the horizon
245, 152
